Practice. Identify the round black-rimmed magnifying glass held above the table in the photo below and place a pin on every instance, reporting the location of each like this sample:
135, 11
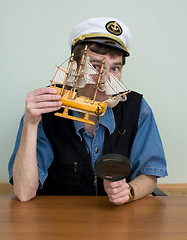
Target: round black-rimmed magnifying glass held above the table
113, 167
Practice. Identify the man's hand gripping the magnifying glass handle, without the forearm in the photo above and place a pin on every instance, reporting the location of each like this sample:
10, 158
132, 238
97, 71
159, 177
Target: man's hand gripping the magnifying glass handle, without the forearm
118, 192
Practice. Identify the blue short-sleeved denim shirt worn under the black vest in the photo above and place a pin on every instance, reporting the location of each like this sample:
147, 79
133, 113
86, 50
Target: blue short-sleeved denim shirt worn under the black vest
147, 154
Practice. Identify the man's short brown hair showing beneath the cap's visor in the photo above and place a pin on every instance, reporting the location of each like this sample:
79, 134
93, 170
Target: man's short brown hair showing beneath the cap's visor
97, 48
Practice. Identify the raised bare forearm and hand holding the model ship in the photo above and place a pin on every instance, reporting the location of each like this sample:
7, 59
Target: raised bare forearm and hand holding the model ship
25, 168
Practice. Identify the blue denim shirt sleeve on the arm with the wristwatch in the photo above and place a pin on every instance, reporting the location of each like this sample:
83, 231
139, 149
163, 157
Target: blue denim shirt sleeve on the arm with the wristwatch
147, 154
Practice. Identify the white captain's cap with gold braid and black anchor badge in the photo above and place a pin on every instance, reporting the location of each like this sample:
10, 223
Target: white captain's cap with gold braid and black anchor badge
107, 31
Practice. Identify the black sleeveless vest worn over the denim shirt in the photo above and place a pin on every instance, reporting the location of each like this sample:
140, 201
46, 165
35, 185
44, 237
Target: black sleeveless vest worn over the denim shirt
71, 172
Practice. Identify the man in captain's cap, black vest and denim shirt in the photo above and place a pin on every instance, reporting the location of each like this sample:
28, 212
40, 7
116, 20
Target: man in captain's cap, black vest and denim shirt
56, 156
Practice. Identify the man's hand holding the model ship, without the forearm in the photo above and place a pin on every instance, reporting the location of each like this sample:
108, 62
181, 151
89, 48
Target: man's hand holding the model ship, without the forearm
42, 100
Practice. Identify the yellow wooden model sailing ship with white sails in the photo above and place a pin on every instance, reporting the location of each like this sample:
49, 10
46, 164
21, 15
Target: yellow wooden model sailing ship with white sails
67, 82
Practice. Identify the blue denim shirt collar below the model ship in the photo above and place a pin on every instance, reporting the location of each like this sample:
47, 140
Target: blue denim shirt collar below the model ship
107, 120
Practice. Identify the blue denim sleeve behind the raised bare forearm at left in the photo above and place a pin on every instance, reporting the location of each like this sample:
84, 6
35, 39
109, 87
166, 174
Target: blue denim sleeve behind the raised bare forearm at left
44, 153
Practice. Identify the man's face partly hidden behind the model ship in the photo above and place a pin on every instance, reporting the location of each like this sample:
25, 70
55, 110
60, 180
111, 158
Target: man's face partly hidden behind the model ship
115, 67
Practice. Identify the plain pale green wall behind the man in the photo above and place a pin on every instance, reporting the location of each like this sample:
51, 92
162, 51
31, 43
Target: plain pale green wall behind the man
34, 37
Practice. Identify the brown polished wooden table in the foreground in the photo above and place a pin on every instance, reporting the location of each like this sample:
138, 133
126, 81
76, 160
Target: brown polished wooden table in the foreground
93, 218
